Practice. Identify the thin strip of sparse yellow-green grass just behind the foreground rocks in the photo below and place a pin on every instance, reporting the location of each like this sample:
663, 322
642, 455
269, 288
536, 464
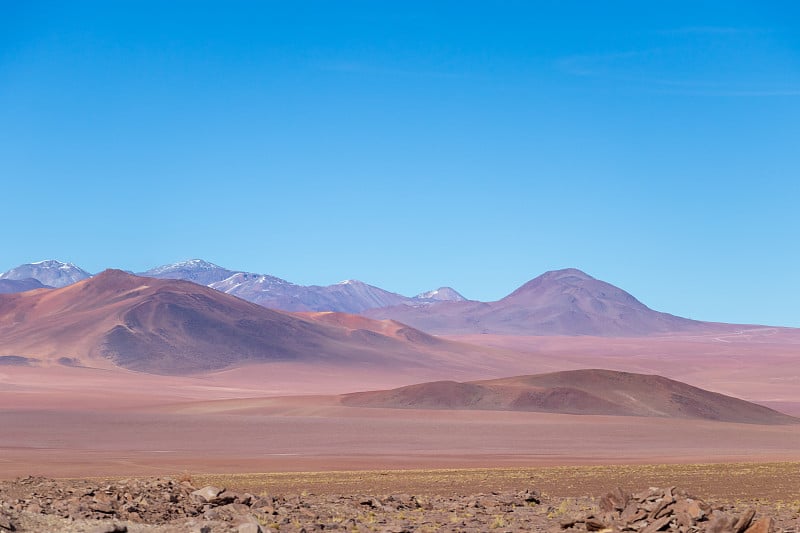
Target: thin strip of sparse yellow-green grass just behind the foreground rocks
776, 482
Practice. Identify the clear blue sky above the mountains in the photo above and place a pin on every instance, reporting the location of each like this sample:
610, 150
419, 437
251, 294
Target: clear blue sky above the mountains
655, 145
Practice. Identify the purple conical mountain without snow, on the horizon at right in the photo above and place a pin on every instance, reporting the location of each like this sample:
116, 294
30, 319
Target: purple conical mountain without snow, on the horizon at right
561, 302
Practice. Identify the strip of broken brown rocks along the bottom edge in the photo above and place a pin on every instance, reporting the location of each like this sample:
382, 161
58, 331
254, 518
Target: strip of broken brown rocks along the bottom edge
169, 505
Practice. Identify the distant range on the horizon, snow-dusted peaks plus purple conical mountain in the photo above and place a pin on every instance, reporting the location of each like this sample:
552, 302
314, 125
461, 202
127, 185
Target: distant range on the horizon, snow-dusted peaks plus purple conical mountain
560, 302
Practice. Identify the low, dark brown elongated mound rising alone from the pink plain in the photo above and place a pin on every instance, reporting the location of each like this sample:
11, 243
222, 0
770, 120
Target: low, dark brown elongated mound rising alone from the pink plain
585, 392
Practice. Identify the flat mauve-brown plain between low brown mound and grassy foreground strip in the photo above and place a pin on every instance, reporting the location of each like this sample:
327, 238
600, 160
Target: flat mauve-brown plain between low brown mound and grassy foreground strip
280, 434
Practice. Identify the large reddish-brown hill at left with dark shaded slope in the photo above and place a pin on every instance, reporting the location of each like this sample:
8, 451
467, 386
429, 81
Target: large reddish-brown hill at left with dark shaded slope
174, 327
